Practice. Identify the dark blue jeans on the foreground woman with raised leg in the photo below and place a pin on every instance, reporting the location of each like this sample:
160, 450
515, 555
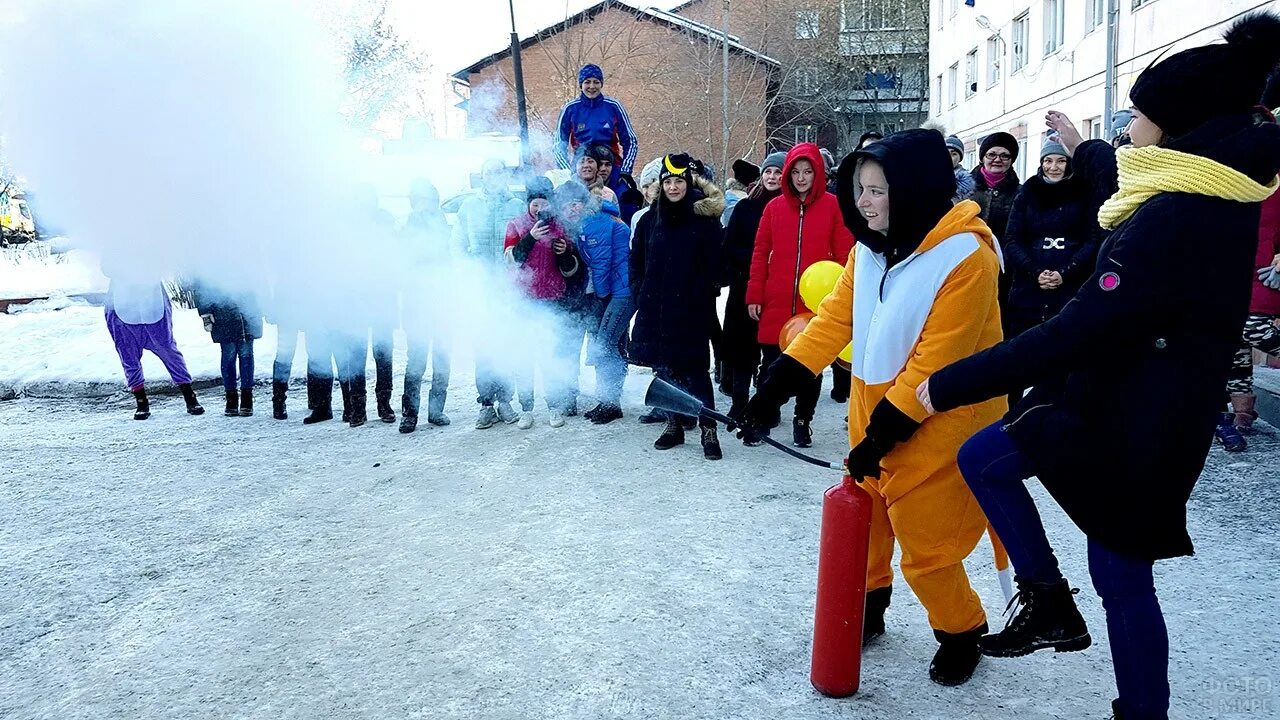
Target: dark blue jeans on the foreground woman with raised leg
996, 472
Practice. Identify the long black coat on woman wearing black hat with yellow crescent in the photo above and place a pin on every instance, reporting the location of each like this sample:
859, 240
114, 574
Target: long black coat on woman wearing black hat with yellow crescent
675, 280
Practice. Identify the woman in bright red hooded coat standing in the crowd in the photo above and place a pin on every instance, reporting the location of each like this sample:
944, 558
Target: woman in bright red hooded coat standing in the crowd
799, 229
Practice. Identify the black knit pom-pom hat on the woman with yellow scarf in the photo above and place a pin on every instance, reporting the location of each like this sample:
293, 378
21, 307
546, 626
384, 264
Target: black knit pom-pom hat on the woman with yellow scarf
1195, 86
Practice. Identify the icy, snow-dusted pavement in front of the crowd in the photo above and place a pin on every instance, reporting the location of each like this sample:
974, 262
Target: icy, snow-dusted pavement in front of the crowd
254, 569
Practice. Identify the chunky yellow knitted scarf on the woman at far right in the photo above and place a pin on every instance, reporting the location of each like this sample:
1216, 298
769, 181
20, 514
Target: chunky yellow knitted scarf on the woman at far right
1146, 172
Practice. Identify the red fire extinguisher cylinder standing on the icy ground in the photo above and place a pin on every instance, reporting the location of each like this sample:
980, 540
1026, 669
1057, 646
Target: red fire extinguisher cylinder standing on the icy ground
838, 628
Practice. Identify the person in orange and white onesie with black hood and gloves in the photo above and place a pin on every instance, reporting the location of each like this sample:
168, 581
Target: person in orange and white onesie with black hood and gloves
918, 293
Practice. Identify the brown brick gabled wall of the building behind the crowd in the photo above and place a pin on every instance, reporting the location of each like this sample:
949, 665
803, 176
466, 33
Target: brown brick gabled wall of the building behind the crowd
669, 83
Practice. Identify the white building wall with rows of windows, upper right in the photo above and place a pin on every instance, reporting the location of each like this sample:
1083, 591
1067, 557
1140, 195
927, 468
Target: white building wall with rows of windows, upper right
1072, 79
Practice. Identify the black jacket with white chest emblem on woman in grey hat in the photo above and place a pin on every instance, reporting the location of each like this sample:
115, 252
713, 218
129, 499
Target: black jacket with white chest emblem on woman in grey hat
1052, 227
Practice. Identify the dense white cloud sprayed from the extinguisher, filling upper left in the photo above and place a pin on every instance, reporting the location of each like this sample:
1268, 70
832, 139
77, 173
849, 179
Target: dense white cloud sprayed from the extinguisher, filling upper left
205, 140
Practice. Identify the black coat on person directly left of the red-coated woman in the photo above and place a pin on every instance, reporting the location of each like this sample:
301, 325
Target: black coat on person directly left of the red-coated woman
740, 330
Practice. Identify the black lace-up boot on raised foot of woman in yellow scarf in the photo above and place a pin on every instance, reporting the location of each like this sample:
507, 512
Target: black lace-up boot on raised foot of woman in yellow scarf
1048, 618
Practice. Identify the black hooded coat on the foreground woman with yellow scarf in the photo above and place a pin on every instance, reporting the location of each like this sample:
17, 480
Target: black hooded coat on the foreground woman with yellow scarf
1128, 379
